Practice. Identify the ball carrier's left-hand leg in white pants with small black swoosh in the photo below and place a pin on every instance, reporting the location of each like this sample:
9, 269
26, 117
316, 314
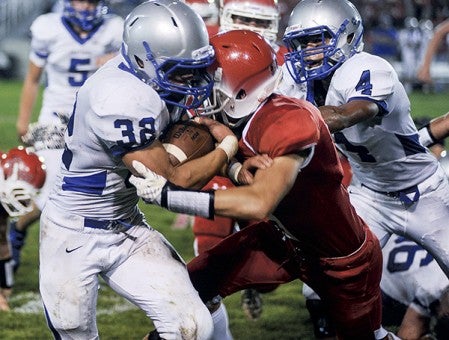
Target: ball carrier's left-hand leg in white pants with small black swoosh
67, 279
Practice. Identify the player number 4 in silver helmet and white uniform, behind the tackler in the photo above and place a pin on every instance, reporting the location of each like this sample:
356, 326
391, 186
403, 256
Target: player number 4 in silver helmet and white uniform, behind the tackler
402, 189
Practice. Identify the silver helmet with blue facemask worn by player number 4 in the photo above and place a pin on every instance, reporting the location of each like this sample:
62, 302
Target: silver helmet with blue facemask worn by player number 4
320, 36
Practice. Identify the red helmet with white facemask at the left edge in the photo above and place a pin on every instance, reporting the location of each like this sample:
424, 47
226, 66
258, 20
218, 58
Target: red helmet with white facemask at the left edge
22, 175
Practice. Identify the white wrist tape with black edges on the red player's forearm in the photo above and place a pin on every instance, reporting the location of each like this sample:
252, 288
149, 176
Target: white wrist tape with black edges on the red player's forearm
191, 202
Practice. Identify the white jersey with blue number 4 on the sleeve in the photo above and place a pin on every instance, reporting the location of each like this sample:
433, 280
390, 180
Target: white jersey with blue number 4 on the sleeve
385, 153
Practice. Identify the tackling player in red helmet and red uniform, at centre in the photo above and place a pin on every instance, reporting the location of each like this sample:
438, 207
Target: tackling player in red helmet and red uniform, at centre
308, 229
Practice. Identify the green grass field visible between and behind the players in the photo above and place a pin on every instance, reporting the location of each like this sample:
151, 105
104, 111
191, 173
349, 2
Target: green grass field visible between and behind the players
284, 315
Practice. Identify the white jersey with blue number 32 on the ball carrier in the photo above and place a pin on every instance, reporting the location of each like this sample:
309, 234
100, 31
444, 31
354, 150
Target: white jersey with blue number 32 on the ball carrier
115, 113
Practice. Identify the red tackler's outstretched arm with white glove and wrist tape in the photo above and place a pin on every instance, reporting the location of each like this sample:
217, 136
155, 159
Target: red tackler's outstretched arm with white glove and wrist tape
255, 201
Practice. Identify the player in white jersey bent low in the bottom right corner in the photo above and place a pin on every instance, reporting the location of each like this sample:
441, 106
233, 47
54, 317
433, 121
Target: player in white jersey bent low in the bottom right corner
415, 289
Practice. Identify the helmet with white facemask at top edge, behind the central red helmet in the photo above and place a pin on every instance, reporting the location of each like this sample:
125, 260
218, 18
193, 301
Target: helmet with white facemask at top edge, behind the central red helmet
261, 16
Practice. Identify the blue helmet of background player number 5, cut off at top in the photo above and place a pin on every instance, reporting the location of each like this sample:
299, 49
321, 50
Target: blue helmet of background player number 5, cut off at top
86, 20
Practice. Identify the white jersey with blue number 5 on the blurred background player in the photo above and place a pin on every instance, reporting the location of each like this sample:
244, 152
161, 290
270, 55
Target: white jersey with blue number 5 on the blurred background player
68, 59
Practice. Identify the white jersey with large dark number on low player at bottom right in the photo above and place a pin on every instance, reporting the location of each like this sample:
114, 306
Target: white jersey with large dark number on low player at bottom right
411, 275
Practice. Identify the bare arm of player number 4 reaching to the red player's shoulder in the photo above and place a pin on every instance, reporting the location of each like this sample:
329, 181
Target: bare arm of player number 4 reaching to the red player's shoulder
340, 117
